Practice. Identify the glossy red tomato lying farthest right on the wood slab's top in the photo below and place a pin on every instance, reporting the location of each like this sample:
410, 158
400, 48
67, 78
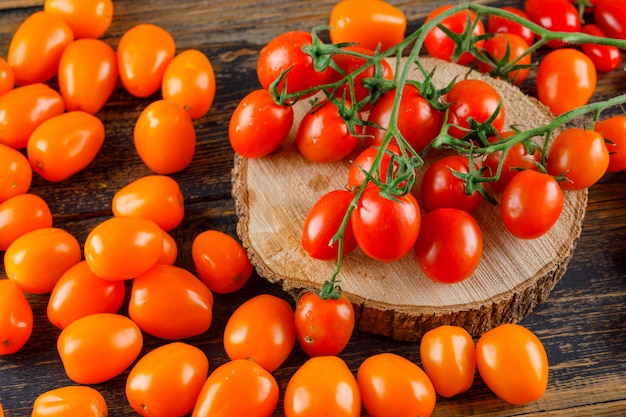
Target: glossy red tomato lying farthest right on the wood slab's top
531, 204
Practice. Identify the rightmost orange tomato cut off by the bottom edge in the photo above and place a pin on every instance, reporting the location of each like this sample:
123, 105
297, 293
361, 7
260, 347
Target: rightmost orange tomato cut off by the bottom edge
392, 385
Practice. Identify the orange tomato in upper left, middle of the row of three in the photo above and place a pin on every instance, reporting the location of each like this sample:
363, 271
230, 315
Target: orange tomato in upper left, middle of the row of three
143, 53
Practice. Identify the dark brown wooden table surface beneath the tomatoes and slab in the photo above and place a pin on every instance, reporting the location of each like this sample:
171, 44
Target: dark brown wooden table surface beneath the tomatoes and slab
582, 324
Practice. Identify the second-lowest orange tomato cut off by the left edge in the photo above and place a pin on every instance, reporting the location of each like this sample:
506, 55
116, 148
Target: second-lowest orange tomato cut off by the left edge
21, 214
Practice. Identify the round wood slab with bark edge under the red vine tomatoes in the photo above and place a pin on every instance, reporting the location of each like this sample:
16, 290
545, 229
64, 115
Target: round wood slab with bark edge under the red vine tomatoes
274, 194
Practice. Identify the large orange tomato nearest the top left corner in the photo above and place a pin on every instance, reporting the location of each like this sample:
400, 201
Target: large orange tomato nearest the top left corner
36, 47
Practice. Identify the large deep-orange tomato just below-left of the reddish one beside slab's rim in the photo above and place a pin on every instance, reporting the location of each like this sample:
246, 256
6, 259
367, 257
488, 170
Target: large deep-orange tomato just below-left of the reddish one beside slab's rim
169, 302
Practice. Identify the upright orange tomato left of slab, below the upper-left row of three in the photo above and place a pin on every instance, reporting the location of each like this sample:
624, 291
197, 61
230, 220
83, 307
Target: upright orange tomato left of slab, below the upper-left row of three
165, 137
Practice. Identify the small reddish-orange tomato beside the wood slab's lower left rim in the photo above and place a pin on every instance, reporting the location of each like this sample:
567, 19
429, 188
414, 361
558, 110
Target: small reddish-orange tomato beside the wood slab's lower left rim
220, 261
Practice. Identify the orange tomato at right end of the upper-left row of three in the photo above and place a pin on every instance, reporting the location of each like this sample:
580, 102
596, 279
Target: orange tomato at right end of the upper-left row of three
189, 80
